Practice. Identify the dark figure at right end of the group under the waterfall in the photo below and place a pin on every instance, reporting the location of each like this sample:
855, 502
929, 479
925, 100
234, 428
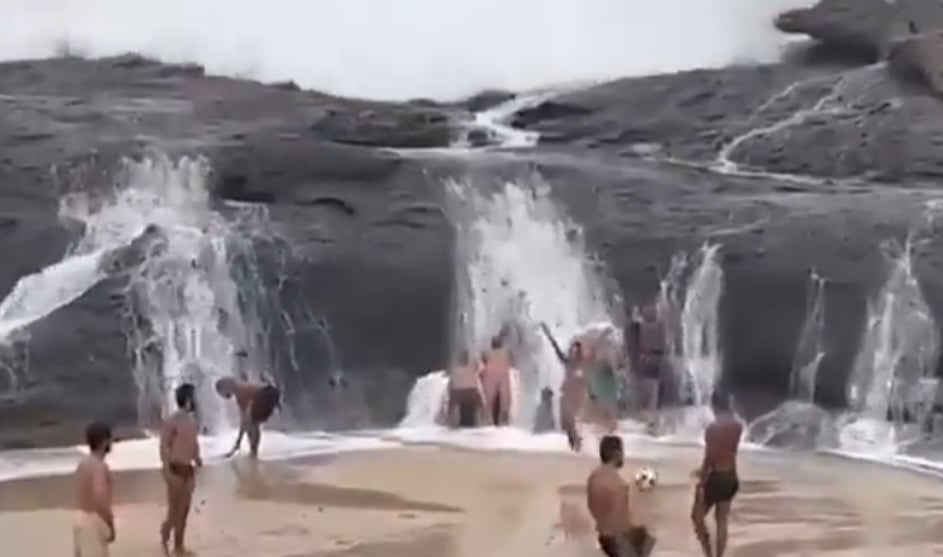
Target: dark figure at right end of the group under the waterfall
647, 344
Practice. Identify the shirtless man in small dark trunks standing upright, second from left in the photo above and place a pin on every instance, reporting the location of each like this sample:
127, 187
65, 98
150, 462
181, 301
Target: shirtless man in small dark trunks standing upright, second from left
180, 456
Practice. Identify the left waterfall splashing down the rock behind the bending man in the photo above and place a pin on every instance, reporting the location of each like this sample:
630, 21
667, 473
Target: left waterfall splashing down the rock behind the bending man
185, 322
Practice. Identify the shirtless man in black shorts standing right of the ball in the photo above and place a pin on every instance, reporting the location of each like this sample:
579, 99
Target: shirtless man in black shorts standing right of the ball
717, 477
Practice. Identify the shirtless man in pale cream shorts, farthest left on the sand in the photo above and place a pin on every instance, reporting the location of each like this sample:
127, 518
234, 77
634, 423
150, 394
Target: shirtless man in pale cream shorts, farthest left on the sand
93, 527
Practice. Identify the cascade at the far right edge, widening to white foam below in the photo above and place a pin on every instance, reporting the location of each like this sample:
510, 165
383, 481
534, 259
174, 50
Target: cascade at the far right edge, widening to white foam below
898, 351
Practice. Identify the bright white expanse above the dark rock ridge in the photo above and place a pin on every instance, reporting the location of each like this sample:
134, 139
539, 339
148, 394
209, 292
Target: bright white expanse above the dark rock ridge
408, 48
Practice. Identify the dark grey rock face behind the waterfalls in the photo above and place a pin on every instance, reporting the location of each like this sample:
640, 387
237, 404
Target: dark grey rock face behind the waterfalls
790, 166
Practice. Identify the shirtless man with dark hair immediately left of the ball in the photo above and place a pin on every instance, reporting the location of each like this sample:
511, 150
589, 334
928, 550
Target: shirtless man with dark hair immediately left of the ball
607, 496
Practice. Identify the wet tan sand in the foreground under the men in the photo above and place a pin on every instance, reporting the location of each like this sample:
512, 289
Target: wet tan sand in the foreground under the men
428, 501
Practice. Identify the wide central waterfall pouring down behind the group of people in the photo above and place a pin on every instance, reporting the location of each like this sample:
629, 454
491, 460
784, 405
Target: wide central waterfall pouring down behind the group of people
519, 262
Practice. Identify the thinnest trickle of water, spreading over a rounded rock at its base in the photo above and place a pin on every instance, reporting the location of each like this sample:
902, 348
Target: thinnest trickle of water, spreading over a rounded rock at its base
799, 422
